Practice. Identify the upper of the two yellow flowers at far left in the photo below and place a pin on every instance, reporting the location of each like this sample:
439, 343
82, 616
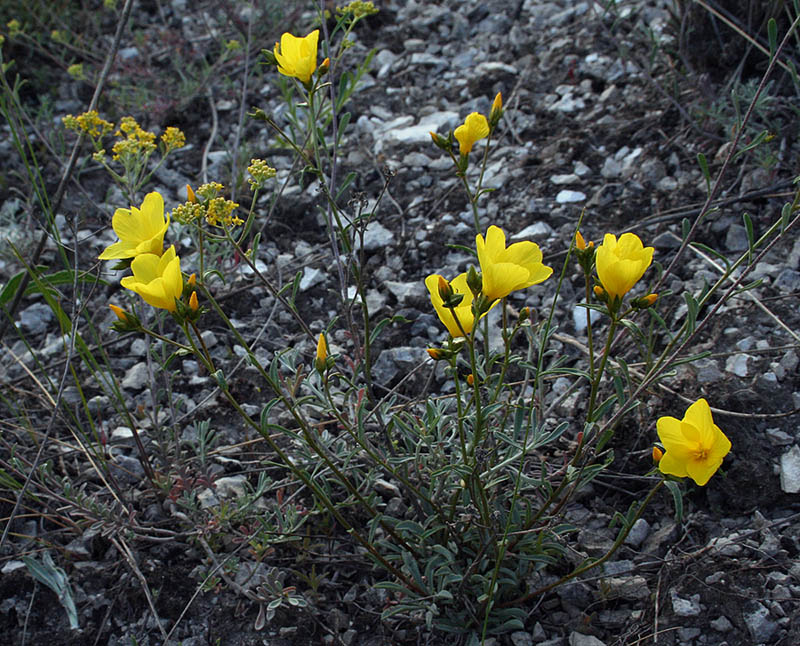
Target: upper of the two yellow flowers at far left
139, 230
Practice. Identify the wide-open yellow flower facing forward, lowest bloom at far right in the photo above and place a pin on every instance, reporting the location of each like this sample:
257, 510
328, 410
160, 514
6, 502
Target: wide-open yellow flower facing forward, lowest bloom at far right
694, 446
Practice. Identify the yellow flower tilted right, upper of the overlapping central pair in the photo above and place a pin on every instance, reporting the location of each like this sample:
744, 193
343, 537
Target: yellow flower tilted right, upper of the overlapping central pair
507, 269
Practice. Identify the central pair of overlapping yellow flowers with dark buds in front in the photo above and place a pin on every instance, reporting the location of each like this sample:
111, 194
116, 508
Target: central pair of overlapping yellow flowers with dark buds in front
503, 270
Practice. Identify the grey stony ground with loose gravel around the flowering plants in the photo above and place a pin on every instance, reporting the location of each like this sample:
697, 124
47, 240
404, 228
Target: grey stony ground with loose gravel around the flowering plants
598, 118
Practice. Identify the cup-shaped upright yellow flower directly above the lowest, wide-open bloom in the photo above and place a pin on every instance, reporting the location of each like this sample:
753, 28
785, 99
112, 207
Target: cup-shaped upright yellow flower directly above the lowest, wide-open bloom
620, 264
